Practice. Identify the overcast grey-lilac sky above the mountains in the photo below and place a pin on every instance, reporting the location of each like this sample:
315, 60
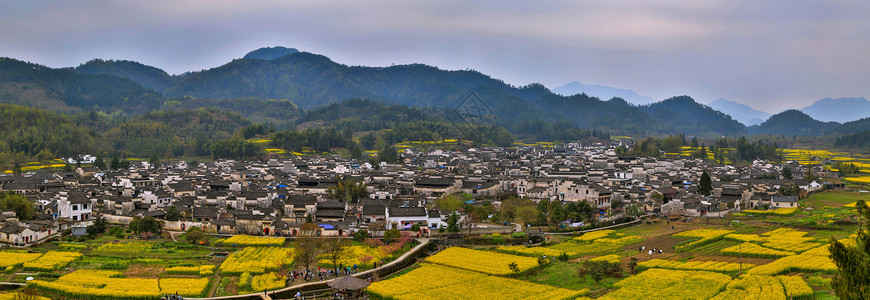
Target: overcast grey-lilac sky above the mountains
771, 55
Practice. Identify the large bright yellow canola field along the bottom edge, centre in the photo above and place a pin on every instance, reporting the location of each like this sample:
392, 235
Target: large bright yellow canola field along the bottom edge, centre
432, 281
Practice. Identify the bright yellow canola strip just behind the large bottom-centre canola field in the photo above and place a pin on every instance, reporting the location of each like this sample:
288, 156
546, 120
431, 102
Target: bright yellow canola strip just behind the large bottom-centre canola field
481, 261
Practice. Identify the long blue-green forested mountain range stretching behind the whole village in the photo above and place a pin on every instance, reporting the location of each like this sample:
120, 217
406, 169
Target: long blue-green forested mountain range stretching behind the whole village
270, 81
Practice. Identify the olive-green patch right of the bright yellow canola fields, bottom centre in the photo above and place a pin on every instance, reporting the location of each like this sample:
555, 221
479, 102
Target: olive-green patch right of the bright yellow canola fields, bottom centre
564, 274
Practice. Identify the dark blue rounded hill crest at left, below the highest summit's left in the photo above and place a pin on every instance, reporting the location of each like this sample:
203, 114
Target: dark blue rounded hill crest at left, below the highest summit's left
147, 76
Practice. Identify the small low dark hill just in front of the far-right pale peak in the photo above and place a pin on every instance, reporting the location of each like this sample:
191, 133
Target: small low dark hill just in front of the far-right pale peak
793, 122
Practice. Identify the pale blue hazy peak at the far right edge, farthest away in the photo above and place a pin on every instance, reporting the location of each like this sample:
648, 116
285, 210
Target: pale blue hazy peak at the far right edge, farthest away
839, 110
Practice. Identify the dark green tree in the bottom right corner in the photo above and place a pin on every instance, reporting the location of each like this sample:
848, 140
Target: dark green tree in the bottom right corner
853, 279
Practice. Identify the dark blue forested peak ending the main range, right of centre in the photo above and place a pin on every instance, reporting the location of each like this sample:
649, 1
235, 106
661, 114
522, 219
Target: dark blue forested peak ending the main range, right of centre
683, 115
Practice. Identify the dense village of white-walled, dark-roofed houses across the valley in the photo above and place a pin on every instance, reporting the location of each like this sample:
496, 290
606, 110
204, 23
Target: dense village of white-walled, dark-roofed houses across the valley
276, 196
